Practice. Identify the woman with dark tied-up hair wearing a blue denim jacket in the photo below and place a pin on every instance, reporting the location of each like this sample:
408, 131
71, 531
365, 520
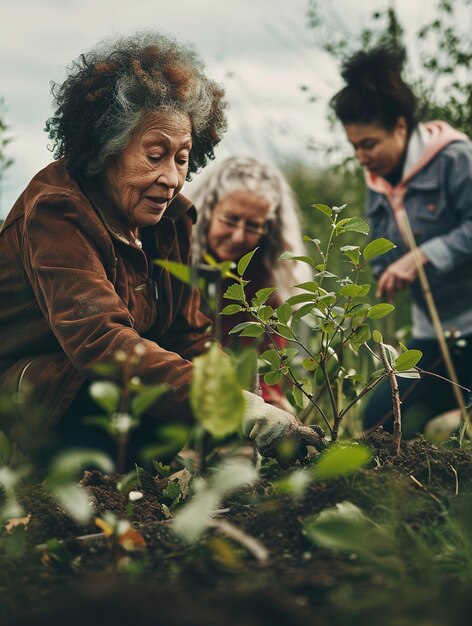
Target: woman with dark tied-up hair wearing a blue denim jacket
425, 170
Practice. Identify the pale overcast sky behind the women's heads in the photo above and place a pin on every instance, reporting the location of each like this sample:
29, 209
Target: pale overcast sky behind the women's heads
261, 50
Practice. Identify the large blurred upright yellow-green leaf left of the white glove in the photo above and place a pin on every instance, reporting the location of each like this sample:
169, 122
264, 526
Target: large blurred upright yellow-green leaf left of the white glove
215, 395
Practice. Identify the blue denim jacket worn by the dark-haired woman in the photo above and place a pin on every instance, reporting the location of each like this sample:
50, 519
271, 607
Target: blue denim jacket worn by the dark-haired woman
438, 201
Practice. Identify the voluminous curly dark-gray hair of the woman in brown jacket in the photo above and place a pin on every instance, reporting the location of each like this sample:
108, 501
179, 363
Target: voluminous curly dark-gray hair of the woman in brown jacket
112, 87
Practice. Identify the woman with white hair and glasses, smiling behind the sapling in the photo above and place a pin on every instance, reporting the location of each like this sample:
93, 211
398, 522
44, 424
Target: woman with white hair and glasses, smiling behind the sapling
244, 204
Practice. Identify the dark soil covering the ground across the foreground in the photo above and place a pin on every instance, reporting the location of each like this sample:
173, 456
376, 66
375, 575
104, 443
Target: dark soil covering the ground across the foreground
92, 581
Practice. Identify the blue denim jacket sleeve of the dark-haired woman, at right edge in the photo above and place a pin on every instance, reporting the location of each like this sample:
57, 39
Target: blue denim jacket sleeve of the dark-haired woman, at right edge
455, 247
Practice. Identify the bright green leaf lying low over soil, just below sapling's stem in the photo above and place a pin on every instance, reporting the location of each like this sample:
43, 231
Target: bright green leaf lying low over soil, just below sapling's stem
341, 461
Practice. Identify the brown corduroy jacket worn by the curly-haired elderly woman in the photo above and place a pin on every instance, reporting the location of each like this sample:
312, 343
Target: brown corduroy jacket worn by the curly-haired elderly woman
74, 289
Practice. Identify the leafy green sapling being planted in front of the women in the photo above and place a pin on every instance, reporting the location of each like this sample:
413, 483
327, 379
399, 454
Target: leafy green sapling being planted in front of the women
338, 312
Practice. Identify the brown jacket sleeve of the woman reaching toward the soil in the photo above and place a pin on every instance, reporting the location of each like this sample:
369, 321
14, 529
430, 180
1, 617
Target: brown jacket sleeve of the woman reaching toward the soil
70, 266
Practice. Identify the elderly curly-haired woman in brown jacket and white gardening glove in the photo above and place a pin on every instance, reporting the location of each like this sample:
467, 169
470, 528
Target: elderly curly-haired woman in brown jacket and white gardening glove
134, 118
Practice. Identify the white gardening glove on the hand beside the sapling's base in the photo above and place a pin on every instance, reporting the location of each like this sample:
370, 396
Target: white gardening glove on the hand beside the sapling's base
275, 432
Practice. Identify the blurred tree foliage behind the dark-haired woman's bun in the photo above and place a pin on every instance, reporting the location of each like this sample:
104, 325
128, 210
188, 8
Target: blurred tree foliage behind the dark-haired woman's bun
442, 46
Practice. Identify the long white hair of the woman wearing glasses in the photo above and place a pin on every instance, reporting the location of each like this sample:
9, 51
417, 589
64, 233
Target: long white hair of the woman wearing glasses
284, 234
